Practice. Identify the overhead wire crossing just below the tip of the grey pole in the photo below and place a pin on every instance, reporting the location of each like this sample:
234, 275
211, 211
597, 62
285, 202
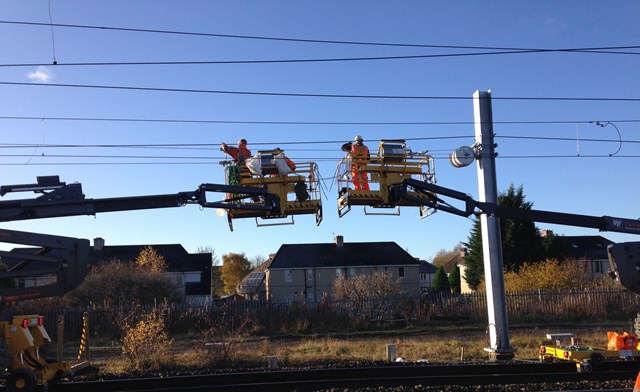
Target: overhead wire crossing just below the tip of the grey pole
313, 95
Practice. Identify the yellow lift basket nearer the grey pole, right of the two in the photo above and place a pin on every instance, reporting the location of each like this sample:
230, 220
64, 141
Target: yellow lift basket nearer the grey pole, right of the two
392, 164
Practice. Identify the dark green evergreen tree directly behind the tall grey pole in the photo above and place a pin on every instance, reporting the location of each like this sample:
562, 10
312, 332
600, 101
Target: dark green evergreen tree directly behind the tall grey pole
521, 241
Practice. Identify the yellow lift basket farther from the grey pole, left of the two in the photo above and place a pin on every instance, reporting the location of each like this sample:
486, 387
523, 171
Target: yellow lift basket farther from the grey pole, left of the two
296, 192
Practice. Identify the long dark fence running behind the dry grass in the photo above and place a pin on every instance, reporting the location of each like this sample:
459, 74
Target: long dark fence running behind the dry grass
601, 305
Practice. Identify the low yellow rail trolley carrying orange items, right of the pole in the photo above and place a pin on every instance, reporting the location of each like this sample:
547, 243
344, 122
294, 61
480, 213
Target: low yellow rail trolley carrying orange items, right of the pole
568, 348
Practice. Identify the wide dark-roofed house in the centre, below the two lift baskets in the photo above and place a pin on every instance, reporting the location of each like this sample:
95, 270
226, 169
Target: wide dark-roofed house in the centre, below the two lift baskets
306, 272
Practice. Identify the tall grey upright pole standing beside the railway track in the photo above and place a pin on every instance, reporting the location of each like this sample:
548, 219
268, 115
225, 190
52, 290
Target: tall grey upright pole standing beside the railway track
498, 327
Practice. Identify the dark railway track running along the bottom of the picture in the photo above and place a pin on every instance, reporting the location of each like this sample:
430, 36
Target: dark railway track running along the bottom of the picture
361, 377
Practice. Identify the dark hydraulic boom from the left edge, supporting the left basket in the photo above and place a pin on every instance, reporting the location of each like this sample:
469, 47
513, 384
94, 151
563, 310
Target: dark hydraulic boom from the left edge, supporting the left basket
59, 264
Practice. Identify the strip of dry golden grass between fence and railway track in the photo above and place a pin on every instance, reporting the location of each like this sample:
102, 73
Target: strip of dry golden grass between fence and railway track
439, 347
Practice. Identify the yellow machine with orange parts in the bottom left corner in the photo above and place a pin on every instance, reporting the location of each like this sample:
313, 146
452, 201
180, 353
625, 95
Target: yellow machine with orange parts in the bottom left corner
23, 338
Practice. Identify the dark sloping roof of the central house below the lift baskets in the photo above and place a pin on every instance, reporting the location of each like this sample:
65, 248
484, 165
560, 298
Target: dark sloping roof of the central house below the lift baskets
349, 254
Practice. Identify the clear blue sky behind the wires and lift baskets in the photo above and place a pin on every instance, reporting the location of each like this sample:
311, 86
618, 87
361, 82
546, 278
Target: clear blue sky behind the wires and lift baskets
591, 171
